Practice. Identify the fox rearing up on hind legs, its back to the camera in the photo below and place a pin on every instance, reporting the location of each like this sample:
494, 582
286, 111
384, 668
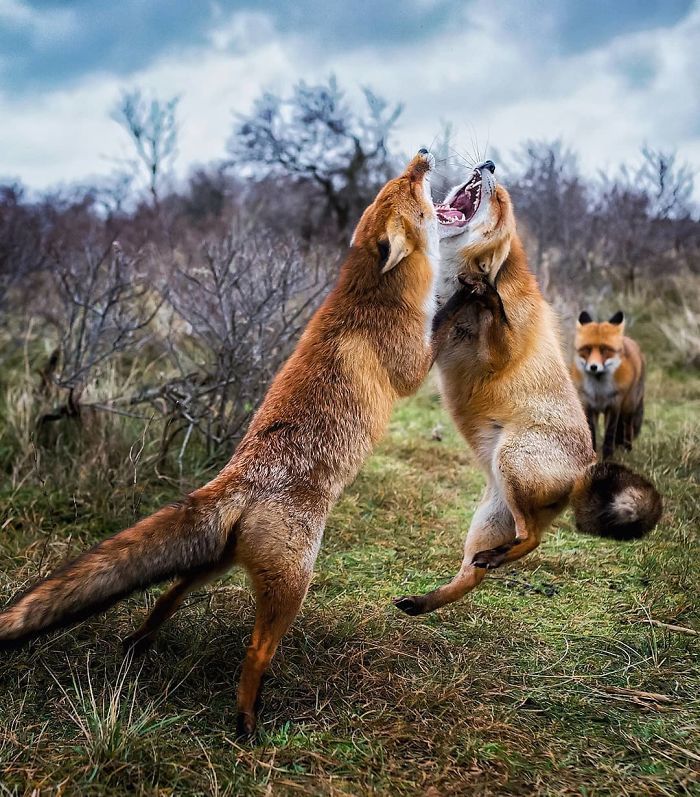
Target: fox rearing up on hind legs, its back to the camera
323, 413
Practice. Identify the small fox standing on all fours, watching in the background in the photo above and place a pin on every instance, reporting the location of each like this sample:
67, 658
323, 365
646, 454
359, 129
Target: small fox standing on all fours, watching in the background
609, 371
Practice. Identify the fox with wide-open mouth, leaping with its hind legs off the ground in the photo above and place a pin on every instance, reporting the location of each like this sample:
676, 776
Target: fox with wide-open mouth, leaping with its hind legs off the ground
504, 380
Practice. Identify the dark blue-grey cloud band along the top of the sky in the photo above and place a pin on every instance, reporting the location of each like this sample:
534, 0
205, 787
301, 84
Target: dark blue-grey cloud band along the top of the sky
45, 44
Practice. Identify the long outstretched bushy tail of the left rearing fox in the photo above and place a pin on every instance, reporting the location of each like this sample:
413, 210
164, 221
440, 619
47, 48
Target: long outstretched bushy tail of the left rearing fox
176, 540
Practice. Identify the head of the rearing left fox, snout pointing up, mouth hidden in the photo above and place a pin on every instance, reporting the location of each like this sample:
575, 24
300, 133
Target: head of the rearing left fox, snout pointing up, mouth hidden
402, 218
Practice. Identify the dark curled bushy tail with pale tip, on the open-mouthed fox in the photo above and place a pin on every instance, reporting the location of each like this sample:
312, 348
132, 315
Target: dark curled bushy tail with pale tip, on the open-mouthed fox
609, 500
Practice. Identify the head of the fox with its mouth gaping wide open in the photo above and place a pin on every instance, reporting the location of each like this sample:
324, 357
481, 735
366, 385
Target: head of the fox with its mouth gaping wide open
476, 223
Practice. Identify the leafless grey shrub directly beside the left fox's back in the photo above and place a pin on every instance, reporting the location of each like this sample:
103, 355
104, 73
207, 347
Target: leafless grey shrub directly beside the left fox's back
238, 306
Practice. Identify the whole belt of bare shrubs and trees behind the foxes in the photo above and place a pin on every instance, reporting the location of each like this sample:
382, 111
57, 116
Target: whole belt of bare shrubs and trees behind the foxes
153, 319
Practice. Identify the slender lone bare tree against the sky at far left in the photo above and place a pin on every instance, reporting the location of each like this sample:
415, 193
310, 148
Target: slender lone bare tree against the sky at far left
153, 128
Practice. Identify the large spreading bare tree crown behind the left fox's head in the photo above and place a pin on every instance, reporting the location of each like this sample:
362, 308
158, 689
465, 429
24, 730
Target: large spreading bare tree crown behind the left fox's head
316, 138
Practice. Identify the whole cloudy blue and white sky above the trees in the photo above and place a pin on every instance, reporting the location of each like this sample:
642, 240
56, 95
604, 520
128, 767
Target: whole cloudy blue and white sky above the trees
605, 76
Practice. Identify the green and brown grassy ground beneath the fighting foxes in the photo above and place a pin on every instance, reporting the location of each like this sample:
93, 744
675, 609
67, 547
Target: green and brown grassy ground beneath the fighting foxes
558, 676
